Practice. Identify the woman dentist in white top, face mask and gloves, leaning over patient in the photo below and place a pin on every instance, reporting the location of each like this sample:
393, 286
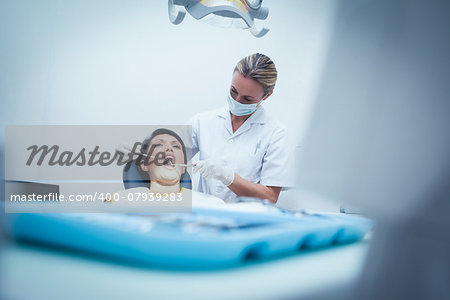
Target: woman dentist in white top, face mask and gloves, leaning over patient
243, 152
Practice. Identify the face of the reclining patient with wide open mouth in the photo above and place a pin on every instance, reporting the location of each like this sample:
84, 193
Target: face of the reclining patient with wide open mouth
168, 173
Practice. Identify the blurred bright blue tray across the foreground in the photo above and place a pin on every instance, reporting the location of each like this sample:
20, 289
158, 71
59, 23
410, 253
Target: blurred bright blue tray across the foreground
204, 239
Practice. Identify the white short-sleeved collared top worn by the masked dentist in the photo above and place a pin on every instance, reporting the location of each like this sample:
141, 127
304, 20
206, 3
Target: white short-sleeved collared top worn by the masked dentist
258, 151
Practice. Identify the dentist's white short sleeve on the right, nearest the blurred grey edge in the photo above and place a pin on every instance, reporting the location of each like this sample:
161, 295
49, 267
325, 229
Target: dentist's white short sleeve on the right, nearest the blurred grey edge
277, 168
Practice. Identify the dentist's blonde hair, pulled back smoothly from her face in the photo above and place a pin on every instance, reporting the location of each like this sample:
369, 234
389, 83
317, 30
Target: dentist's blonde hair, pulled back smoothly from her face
260, 68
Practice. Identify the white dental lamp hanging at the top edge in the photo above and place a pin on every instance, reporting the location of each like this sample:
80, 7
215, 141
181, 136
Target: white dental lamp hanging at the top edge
232, 13
